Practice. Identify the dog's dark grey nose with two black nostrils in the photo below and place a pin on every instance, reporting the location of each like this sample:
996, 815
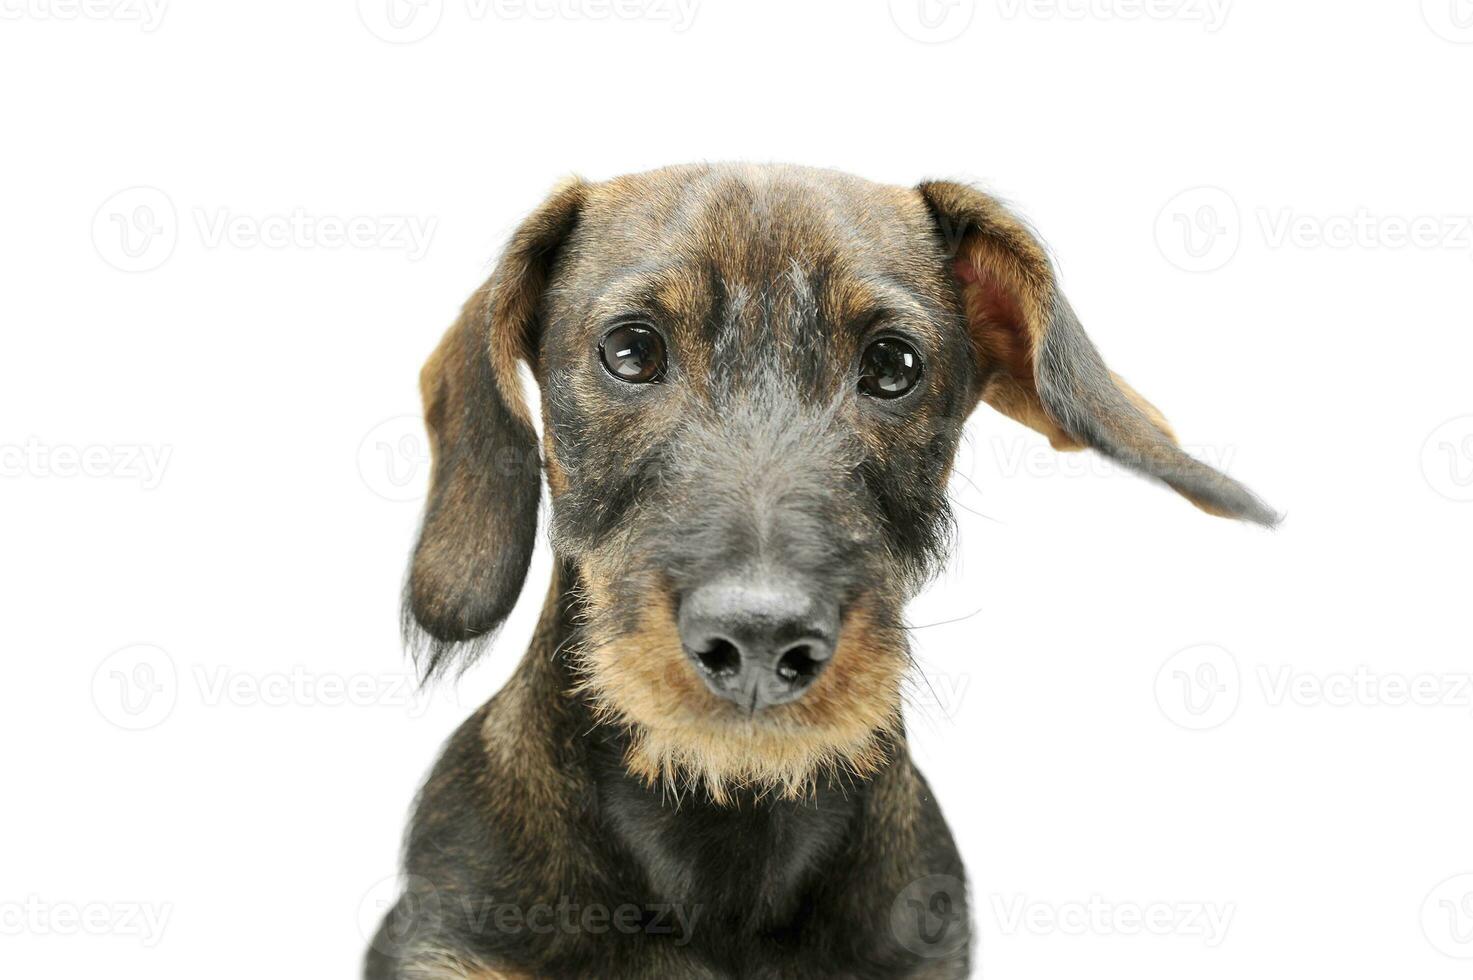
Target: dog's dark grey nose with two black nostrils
758, 640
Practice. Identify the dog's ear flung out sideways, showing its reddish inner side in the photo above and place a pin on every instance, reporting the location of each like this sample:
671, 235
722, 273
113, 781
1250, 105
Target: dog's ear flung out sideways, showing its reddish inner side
1039, 368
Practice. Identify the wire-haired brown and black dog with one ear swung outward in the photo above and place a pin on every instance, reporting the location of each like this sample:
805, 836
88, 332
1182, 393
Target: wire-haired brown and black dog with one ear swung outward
753, 385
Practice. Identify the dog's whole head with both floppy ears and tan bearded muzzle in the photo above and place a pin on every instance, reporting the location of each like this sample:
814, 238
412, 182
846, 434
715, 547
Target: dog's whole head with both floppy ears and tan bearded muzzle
753, 384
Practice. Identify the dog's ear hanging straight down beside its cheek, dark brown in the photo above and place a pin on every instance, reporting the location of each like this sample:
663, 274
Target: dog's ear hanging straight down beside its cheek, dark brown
482, 512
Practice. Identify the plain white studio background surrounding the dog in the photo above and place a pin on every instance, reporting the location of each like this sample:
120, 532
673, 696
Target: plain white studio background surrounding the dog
213, 461
